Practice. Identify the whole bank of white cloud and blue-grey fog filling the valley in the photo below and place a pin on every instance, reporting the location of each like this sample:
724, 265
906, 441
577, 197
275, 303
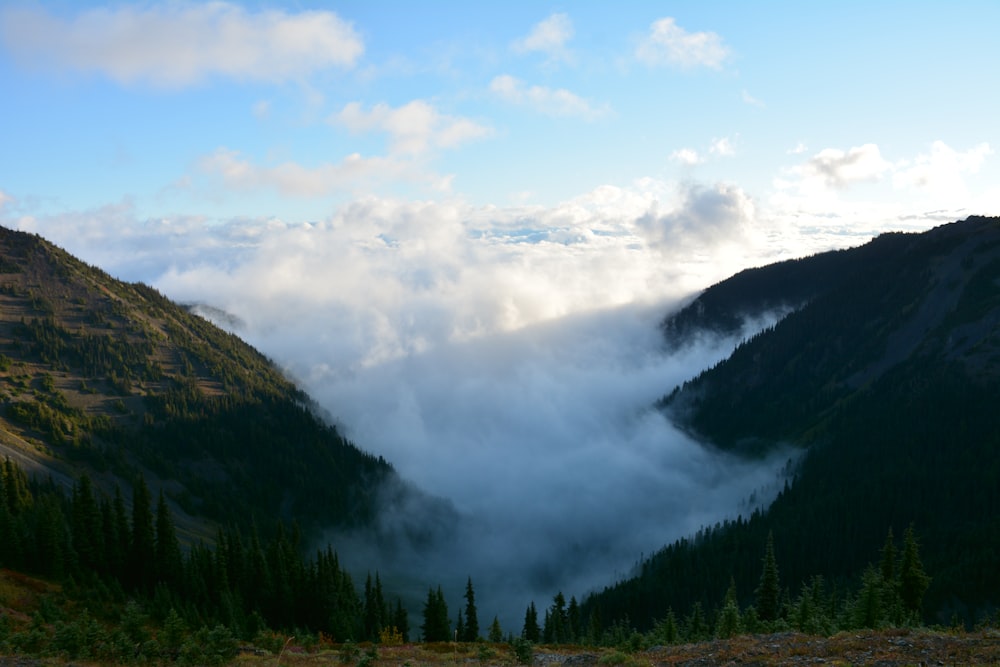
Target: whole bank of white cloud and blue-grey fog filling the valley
505, 361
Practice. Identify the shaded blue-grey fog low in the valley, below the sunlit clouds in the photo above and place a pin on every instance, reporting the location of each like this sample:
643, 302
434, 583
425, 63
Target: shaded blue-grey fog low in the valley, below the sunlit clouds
544, 439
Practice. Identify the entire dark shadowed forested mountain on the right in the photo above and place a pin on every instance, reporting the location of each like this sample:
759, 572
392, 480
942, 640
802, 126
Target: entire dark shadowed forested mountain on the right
884, 372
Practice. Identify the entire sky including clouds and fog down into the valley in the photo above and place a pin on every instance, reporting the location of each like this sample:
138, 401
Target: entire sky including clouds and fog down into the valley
458, 224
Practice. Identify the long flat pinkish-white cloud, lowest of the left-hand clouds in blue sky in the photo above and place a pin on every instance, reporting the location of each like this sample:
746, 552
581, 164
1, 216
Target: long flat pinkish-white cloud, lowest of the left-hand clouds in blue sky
353, 173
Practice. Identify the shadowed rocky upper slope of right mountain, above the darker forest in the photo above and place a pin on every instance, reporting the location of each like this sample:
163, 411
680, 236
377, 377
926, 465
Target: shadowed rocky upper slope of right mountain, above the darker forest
925, 300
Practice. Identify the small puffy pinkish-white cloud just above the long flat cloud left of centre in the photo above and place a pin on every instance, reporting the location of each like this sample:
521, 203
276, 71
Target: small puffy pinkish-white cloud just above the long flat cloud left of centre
414, 127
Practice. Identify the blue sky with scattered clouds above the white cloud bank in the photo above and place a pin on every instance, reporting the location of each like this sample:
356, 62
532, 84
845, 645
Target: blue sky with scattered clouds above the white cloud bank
205, 109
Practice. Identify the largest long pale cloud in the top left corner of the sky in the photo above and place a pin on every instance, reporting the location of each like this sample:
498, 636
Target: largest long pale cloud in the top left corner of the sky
178, 44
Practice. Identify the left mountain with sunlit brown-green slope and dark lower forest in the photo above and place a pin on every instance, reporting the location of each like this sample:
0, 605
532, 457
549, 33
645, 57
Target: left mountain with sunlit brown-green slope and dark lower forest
112, 378
